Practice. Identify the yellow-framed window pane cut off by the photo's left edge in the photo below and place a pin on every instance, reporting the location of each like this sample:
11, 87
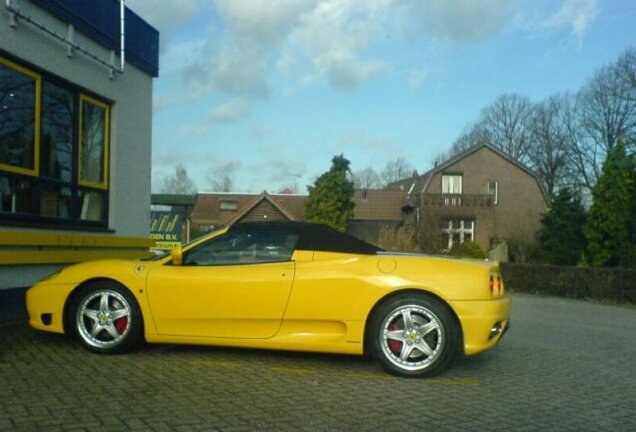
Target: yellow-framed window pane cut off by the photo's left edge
19, 91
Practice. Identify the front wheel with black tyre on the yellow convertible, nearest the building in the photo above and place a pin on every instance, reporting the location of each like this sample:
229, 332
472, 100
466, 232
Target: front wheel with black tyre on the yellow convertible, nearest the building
105, 318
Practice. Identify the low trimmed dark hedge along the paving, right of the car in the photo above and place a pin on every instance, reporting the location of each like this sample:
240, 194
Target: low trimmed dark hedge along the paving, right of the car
610, 284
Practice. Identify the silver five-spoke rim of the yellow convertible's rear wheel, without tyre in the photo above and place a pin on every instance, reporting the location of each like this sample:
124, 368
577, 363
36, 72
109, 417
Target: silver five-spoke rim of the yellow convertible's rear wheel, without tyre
411, 337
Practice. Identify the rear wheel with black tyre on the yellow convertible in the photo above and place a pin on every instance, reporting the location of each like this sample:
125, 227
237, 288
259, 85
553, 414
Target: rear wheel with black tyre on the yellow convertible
414, 335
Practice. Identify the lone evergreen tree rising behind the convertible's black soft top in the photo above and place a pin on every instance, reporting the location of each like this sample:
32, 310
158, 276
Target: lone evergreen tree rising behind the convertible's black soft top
330, 198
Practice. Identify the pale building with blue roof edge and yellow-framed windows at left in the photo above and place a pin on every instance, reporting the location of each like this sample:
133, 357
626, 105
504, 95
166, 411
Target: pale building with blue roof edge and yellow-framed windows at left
76, 84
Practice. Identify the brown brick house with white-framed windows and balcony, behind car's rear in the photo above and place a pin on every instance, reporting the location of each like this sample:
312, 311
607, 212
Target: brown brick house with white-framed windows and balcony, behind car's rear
479, 194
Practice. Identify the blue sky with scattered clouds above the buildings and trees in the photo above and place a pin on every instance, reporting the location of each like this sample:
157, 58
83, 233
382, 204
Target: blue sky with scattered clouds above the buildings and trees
270, 90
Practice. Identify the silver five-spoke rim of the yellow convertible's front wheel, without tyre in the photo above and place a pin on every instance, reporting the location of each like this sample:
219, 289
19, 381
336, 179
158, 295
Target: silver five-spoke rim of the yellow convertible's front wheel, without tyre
103, 318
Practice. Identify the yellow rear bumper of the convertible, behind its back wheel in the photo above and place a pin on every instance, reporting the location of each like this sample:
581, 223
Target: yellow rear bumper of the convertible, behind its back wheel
484, 322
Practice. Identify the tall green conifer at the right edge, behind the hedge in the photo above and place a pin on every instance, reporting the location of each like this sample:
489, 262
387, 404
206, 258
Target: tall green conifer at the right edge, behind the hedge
610, 230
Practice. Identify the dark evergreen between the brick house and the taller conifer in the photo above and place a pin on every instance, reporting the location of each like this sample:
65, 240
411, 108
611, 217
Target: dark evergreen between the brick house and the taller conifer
561, 239
